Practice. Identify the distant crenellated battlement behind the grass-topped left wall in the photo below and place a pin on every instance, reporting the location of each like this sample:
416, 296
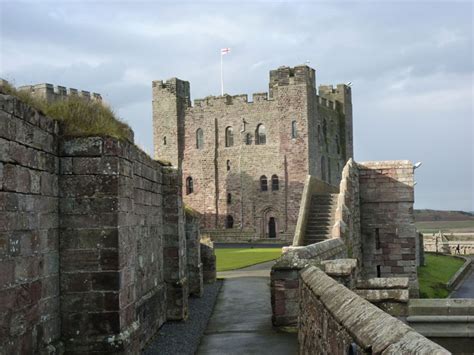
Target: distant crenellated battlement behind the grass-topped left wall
53, 93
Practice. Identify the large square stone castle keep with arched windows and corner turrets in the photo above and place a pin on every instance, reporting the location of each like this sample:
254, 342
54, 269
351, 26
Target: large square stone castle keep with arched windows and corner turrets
244, 163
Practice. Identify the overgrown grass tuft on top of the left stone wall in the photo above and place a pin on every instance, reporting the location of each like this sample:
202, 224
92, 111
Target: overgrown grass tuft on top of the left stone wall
78, 116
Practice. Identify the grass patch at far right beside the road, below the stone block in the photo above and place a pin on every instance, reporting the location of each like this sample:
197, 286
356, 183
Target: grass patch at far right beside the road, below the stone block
436, 273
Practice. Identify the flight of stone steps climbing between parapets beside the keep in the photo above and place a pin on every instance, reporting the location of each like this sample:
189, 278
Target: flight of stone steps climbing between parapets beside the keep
320, 218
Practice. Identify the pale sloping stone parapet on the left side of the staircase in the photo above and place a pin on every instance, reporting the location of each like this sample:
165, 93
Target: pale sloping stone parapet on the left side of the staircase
312, 186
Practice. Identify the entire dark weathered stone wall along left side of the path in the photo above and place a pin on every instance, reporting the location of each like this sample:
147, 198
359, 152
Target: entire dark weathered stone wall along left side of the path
92, 240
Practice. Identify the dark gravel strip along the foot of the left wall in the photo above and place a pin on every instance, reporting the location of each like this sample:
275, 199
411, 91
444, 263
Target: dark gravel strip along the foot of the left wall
183, 337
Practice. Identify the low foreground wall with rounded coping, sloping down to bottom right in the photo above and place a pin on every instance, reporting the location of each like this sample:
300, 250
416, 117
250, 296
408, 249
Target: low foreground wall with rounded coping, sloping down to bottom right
334, 320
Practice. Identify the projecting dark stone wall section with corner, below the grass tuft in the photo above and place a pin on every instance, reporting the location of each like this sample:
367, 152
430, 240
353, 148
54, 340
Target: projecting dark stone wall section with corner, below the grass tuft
112, 245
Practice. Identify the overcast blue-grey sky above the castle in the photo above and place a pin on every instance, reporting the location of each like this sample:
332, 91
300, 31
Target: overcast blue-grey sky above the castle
411, 65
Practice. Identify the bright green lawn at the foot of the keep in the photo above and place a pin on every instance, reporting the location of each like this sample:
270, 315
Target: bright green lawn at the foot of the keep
237, 258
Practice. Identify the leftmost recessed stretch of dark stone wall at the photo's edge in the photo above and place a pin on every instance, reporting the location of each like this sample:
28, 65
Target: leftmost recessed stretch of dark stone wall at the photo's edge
29, 255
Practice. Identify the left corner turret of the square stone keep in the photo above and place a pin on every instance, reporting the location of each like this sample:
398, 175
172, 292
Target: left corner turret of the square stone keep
170, 100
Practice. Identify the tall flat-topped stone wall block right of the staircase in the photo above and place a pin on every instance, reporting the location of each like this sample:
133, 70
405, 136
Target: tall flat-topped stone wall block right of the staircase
389, 236
